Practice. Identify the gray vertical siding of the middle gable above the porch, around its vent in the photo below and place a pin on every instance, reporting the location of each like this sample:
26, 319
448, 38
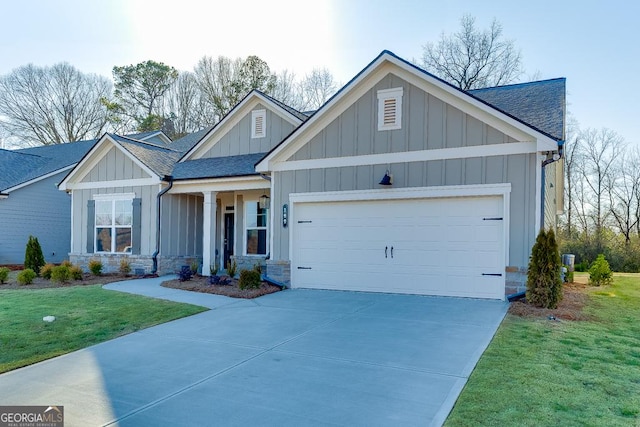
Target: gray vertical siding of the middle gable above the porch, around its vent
238, 139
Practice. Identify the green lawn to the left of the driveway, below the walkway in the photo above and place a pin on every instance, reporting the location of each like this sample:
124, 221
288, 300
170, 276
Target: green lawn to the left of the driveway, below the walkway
85, 315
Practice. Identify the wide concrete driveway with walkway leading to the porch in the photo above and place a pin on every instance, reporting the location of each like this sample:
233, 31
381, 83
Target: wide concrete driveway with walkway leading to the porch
298, 357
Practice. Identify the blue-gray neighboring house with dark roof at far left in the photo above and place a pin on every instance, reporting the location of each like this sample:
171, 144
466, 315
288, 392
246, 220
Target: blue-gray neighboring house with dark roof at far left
30, 203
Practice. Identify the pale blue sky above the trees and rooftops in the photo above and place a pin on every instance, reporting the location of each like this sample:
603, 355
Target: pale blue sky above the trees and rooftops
594, 44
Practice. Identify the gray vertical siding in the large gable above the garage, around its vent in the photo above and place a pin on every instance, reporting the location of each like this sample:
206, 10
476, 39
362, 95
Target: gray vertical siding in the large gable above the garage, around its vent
427, 123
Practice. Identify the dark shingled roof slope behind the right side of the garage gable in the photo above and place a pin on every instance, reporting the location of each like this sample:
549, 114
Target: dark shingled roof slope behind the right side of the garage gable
540, 104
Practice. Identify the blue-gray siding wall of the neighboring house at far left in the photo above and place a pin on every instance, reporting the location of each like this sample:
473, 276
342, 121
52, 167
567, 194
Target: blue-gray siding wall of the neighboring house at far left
41, 210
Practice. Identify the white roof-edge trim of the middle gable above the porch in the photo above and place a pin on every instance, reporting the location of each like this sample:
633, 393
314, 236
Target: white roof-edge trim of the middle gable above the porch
293, 116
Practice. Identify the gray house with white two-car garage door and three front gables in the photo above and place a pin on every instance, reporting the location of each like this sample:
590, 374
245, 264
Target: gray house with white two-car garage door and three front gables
399, 183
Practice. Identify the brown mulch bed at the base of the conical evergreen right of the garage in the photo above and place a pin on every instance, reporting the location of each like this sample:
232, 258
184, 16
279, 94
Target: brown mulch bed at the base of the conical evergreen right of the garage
574, 299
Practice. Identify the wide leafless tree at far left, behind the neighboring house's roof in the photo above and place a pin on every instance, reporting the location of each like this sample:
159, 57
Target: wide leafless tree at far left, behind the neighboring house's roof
52, 105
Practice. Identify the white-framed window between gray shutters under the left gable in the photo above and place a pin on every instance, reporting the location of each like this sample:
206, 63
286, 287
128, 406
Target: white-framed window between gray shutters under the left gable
113, 222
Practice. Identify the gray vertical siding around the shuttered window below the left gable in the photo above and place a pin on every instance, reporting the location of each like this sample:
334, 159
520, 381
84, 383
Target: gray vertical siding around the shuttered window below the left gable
146, 193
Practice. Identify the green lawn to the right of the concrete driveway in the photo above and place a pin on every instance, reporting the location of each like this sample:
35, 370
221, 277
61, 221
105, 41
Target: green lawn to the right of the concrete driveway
545, 373
